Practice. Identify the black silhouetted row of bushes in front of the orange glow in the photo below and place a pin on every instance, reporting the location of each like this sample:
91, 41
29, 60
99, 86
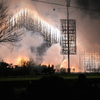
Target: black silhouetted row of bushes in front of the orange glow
31, 69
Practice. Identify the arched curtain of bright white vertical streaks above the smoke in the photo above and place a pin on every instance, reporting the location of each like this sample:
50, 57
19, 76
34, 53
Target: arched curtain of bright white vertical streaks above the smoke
32, 22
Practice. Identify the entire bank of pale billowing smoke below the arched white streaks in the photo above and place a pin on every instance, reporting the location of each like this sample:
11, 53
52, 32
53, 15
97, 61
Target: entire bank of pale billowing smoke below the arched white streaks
27, 49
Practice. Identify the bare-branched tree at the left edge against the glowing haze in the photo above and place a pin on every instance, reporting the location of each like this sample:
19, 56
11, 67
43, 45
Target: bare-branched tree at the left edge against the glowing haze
7, 34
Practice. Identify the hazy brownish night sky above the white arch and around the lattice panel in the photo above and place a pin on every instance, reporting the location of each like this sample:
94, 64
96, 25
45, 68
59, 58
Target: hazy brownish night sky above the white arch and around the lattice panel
87, 20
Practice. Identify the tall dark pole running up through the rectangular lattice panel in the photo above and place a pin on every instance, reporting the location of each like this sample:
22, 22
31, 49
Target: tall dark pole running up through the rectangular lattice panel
67, 6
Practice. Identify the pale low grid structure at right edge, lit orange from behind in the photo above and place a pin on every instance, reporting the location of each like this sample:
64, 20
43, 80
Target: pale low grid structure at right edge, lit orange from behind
90, 62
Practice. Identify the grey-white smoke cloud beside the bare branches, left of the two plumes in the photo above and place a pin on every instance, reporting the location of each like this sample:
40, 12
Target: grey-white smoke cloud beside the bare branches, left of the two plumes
22, 48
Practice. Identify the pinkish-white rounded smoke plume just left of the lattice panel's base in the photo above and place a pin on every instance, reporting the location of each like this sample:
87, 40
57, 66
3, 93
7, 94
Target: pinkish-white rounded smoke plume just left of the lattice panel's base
53, 55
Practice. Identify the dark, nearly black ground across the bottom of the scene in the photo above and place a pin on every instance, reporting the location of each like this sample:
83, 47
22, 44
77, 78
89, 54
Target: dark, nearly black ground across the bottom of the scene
52, 87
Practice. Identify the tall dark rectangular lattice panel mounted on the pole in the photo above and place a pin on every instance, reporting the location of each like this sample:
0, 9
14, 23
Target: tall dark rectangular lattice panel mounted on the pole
72, 36
